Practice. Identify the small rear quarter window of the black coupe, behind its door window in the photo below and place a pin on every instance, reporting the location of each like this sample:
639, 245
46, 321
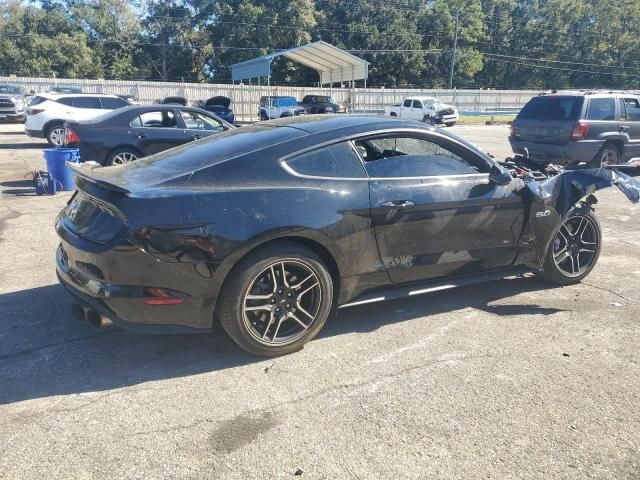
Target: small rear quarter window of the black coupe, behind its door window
338, 160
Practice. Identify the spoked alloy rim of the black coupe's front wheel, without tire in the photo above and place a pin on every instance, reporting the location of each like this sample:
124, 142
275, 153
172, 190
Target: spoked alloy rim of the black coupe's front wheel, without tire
575, 246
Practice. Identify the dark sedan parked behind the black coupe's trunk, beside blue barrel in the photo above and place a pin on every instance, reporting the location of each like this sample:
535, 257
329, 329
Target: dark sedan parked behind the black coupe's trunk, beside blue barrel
130, 133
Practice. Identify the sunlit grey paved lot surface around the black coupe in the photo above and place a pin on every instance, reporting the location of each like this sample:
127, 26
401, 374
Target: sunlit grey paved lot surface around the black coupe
510, 379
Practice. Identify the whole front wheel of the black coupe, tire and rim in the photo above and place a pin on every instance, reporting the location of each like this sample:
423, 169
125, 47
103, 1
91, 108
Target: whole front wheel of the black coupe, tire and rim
575, 248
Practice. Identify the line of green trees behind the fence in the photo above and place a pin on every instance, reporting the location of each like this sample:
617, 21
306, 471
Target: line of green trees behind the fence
500, 43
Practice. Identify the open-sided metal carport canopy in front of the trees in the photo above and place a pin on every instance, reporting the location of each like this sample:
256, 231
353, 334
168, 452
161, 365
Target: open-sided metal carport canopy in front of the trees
333, 64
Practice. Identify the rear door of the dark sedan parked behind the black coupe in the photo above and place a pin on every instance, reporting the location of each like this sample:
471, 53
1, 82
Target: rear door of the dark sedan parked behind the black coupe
157, 130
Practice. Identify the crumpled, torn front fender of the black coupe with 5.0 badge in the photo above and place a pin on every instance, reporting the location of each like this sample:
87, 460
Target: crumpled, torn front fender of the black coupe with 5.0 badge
552, 199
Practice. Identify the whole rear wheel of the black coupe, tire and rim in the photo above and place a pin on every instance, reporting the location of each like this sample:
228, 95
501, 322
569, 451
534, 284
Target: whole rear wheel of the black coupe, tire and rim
251, 330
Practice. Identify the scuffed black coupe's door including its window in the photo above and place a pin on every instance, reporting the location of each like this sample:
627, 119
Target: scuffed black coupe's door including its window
435, 210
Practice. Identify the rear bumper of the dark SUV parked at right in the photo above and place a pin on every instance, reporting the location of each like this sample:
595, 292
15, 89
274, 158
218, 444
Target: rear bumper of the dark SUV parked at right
566, 154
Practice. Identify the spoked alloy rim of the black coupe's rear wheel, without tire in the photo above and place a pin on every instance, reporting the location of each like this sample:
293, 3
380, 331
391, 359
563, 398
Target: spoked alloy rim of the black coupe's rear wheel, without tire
282, 302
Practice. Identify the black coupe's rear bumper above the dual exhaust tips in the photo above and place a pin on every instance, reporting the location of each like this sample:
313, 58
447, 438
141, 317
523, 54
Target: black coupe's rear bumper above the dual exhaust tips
124, 304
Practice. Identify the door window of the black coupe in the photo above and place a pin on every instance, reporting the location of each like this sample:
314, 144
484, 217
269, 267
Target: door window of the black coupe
407, 156
